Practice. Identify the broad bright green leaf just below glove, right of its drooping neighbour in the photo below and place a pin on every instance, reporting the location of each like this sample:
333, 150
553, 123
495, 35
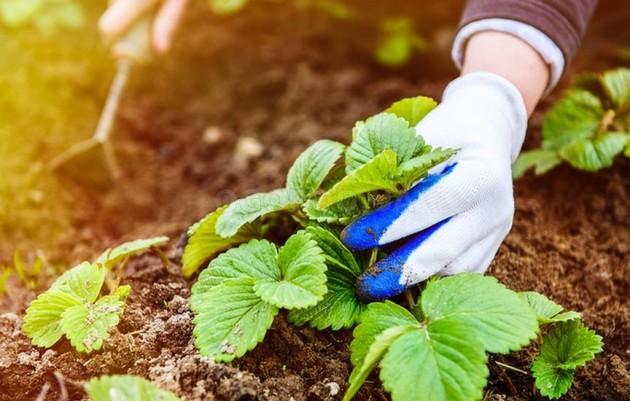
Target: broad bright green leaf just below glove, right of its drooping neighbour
498, 316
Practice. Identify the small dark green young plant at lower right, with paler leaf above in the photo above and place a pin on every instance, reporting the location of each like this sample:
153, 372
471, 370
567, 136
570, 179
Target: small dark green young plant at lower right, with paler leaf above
567, 346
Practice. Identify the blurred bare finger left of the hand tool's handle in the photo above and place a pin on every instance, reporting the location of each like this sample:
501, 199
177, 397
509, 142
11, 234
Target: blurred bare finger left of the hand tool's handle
121, 15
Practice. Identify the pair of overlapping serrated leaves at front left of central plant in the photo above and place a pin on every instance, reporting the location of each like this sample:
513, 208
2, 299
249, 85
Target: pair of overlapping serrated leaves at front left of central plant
237, 297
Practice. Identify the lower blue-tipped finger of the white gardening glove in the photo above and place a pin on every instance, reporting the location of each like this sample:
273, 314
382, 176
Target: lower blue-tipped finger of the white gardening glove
460, 242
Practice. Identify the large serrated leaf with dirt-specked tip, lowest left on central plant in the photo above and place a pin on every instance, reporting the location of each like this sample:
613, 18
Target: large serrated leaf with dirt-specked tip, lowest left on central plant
230, 319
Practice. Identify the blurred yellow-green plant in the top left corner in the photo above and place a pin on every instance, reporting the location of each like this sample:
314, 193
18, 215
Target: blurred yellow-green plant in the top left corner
45, 15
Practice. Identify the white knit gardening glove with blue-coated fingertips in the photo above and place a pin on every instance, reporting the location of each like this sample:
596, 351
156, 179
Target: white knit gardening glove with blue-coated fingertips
454, 220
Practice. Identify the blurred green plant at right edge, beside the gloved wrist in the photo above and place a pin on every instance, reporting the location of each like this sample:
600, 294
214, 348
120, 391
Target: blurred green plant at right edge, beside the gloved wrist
587, 128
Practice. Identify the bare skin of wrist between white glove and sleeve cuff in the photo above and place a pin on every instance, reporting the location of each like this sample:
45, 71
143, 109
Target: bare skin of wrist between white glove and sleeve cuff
513, 59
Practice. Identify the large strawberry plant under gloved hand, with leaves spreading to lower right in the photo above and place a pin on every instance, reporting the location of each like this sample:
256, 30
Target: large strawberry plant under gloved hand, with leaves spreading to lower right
437, 348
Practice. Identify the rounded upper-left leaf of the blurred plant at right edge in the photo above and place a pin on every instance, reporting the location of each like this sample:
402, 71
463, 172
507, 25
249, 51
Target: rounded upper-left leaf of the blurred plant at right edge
576, 116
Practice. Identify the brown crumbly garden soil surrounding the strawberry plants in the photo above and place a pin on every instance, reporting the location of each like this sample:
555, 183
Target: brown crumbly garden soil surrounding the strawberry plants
283, 78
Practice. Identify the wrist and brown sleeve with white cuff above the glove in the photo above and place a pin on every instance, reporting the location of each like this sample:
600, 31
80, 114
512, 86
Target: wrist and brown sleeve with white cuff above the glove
528, 42
